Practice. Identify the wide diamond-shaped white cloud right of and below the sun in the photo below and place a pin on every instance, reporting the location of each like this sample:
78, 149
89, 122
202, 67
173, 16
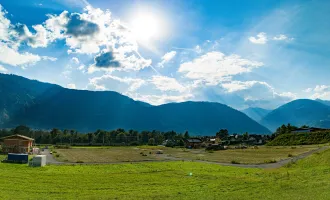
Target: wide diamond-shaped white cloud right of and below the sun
214, 67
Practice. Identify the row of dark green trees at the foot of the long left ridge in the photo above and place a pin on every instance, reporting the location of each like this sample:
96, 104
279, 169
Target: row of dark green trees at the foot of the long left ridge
99, 137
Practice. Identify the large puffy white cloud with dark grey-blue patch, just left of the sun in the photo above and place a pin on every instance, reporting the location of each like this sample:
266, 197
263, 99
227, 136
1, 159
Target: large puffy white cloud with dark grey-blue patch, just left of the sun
94, 31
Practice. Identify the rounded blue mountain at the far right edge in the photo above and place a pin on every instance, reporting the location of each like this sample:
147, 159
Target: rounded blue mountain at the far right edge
299, 112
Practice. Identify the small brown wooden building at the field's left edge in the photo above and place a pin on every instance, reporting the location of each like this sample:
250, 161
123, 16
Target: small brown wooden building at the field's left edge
16, 144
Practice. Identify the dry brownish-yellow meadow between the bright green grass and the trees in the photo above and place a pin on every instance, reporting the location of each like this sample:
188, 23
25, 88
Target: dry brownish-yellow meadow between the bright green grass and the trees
262, 154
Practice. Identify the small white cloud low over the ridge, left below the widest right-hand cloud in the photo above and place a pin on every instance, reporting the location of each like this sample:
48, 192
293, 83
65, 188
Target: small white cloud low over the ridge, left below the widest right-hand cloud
165, 83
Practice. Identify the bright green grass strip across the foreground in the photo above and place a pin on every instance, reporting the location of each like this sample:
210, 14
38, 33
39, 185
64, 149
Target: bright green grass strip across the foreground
308, 179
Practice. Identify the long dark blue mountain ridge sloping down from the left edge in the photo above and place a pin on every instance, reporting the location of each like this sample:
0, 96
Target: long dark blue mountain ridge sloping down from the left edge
45, 106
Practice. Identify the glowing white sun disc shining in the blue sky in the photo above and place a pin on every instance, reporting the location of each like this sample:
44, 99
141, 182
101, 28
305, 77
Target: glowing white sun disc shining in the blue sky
146, 27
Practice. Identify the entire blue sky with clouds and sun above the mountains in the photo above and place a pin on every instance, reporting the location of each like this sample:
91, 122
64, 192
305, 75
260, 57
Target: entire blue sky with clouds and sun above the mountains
256, 53
